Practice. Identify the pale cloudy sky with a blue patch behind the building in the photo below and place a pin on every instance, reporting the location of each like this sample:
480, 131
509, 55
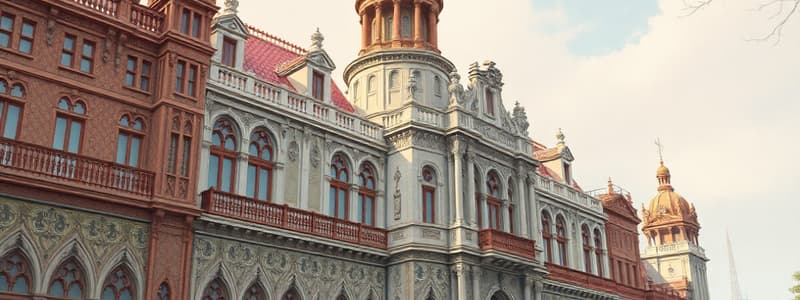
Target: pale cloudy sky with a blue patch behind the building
616, 75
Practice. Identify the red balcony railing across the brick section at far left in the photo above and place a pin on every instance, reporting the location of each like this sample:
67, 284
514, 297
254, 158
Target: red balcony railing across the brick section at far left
27, 159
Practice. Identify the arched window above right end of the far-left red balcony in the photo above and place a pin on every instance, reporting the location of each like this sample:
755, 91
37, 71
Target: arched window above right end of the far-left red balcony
129, 140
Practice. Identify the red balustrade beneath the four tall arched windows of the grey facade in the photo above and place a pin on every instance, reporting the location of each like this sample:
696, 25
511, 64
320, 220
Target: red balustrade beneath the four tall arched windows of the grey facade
285, 217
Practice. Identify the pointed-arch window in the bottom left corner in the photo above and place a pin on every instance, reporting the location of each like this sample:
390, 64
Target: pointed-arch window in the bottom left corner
15, 274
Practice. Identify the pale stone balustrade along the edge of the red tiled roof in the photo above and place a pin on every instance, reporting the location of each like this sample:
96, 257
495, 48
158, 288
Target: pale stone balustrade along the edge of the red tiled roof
304, 106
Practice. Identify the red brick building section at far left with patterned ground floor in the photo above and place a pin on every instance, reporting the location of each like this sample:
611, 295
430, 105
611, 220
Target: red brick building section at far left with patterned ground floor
101, 110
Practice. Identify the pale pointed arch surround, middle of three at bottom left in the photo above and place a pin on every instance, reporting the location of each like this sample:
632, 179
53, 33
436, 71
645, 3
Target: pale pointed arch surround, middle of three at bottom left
71, 250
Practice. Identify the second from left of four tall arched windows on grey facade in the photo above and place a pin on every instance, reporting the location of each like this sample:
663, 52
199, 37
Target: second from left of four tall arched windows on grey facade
259, 166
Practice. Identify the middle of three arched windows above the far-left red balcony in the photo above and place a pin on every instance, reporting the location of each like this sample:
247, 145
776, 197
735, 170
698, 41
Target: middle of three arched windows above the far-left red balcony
70, 118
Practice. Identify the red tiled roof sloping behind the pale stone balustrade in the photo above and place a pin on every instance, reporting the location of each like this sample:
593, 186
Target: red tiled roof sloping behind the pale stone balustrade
263, 54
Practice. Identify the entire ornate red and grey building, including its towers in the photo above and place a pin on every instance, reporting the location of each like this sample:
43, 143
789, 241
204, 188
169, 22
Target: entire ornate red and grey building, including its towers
240, 170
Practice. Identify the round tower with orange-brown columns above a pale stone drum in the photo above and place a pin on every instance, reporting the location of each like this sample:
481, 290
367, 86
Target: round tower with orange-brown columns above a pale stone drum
399, 61
